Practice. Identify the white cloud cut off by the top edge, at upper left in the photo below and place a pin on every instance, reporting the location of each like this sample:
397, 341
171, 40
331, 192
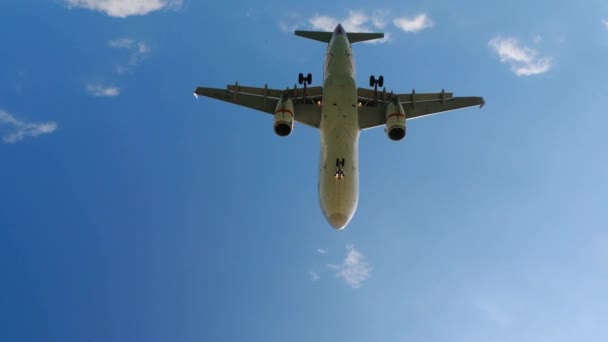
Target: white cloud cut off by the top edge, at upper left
125, 8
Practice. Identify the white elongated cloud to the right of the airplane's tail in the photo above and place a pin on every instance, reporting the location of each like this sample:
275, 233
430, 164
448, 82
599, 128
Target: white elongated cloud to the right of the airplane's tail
524, 61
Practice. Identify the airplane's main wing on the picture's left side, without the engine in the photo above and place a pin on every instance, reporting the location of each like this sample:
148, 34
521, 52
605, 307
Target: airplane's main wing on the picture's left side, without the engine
306, 108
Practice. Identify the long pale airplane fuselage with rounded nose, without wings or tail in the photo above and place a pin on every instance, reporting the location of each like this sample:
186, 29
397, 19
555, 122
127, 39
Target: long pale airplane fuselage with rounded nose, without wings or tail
339, 130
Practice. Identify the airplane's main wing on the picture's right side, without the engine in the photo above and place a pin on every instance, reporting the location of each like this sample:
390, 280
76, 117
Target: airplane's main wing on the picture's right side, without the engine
372, 110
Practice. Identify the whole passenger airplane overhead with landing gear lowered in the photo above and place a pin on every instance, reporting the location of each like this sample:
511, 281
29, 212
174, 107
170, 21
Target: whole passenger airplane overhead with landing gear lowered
340, 111
